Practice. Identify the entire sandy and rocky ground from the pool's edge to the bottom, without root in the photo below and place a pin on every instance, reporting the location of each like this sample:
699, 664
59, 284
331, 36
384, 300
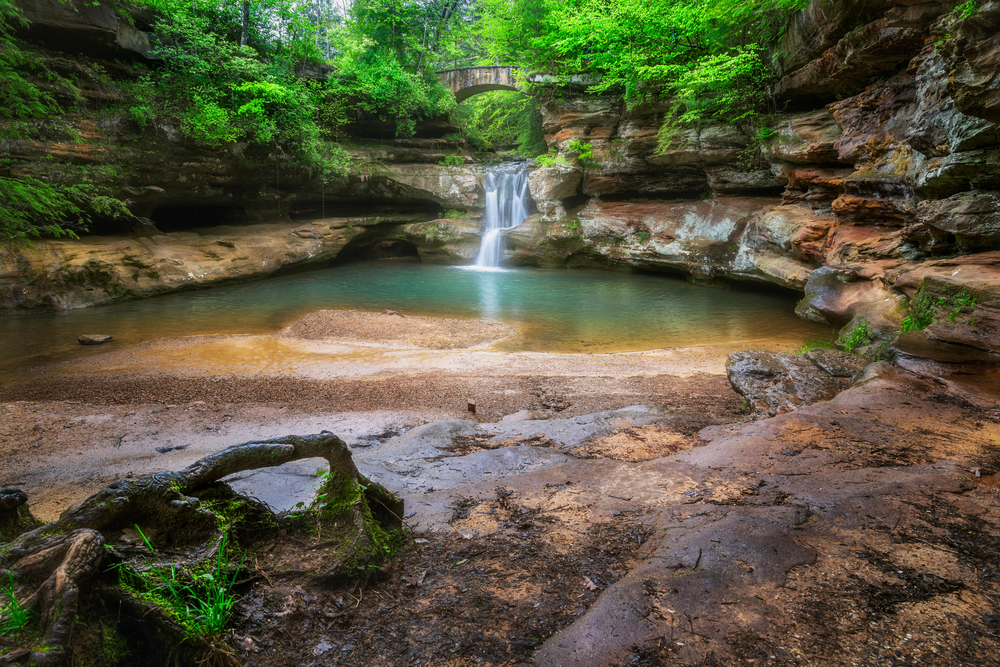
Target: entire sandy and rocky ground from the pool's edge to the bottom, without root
557, 525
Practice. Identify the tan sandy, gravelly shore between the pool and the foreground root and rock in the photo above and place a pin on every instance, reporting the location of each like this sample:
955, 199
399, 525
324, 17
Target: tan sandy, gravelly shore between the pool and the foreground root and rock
73, 427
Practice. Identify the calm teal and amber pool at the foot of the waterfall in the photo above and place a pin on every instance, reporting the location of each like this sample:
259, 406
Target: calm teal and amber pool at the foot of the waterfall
556, 311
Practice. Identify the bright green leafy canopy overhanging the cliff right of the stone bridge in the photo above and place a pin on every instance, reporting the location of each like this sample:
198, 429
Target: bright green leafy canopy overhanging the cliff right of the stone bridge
709, 56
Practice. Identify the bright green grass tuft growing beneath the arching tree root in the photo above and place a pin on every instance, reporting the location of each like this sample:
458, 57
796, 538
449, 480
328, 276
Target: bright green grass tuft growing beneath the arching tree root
201, 602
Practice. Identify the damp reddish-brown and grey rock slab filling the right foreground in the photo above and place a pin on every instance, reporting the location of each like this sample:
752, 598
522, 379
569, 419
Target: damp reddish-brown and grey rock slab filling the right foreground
835, 525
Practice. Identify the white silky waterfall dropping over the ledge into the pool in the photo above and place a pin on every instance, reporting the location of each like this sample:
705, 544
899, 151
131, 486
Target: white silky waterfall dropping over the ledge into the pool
506, 189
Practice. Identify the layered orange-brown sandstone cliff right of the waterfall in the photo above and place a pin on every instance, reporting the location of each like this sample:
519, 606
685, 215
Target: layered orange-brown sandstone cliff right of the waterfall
890, 160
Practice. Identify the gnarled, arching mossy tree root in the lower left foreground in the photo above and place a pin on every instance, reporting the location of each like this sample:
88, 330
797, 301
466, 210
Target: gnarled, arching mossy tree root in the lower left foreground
57, 559
